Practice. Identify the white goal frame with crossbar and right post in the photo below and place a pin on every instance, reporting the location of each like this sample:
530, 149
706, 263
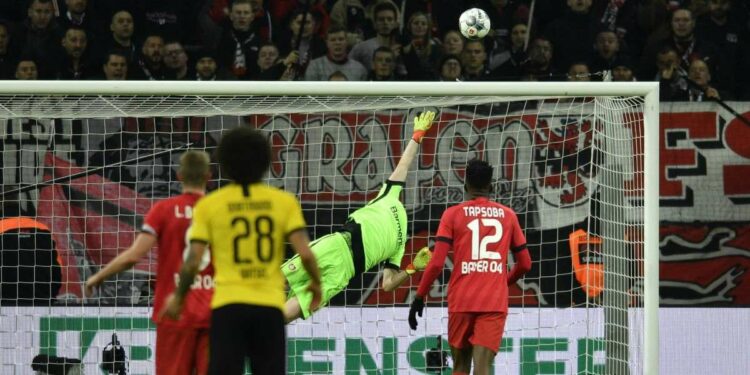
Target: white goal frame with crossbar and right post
648, 90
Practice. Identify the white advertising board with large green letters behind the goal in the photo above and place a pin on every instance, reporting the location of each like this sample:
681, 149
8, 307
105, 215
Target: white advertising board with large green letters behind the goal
378, 340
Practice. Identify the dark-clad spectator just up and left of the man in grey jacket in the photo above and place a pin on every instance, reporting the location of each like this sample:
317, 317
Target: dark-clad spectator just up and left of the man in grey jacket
311, 46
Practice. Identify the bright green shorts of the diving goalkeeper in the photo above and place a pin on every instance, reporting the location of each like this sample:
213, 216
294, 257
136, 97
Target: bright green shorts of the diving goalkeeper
334, 257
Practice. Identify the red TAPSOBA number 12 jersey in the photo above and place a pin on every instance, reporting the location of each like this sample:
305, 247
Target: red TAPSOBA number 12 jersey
480, 232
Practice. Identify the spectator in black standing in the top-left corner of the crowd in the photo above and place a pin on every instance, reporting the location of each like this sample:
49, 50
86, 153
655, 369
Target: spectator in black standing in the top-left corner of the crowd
39, 36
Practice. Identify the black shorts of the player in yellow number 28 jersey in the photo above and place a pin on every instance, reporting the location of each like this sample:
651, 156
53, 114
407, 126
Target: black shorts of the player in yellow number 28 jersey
240, 331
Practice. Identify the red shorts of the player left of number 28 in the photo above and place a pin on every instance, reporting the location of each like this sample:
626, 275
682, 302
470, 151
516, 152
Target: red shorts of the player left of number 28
179, 350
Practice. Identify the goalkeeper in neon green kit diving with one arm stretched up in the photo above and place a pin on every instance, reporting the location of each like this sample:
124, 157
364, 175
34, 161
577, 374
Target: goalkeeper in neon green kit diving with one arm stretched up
373, 234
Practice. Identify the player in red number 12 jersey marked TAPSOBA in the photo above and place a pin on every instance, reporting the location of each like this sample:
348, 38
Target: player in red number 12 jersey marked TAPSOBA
480, 232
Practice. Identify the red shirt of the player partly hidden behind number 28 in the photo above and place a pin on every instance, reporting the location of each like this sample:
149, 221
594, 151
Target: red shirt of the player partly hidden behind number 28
169, 221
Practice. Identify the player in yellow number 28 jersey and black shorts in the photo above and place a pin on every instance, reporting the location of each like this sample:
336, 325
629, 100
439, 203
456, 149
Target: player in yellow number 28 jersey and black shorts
247, 224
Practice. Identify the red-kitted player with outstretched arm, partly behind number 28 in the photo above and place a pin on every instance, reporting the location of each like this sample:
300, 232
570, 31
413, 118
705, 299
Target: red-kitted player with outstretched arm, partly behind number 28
182, 345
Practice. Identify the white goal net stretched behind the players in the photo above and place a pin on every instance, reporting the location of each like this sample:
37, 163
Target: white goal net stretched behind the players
85, 161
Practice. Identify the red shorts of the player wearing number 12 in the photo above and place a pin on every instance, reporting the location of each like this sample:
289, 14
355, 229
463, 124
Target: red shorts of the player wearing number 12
476, 328
